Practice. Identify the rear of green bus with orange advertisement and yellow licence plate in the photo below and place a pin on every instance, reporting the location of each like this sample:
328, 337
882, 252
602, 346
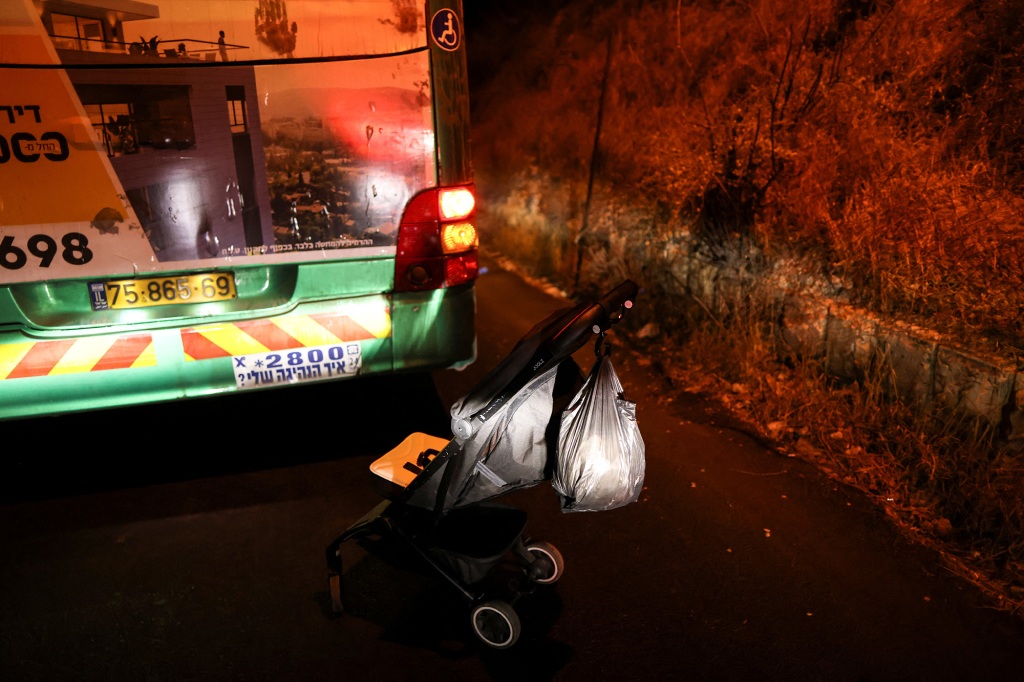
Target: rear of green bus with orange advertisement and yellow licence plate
200, 197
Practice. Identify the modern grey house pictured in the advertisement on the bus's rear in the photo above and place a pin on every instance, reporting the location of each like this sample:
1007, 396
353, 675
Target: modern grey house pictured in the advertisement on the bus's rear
184, 140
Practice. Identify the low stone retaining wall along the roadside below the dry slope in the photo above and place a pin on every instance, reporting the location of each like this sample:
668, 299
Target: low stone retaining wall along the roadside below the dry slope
918, 365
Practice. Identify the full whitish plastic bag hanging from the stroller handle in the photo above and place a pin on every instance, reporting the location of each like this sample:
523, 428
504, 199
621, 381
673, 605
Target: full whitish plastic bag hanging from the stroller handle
602, 460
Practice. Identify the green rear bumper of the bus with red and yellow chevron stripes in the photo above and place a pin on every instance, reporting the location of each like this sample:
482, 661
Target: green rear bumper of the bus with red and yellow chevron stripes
317, 342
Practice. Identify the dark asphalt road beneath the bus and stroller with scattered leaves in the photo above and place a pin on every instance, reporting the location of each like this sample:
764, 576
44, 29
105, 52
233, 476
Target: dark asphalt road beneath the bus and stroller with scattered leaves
187, 542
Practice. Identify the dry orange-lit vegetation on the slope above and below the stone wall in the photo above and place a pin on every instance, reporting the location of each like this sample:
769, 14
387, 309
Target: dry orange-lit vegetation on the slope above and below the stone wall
879, 144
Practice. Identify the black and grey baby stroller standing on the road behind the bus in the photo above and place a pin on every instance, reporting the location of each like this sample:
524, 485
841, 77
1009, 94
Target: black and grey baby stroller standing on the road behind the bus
439, 494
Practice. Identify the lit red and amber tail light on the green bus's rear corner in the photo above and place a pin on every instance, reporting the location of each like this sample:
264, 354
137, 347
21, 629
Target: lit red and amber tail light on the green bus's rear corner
438, 241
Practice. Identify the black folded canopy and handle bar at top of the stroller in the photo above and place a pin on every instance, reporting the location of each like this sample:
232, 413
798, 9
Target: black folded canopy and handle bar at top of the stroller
577, 327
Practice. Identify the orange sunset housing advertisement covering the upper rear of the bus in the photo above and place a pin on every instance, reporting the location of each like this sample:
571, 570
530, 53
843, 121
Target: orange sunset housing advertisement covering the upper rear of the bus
175, 135
